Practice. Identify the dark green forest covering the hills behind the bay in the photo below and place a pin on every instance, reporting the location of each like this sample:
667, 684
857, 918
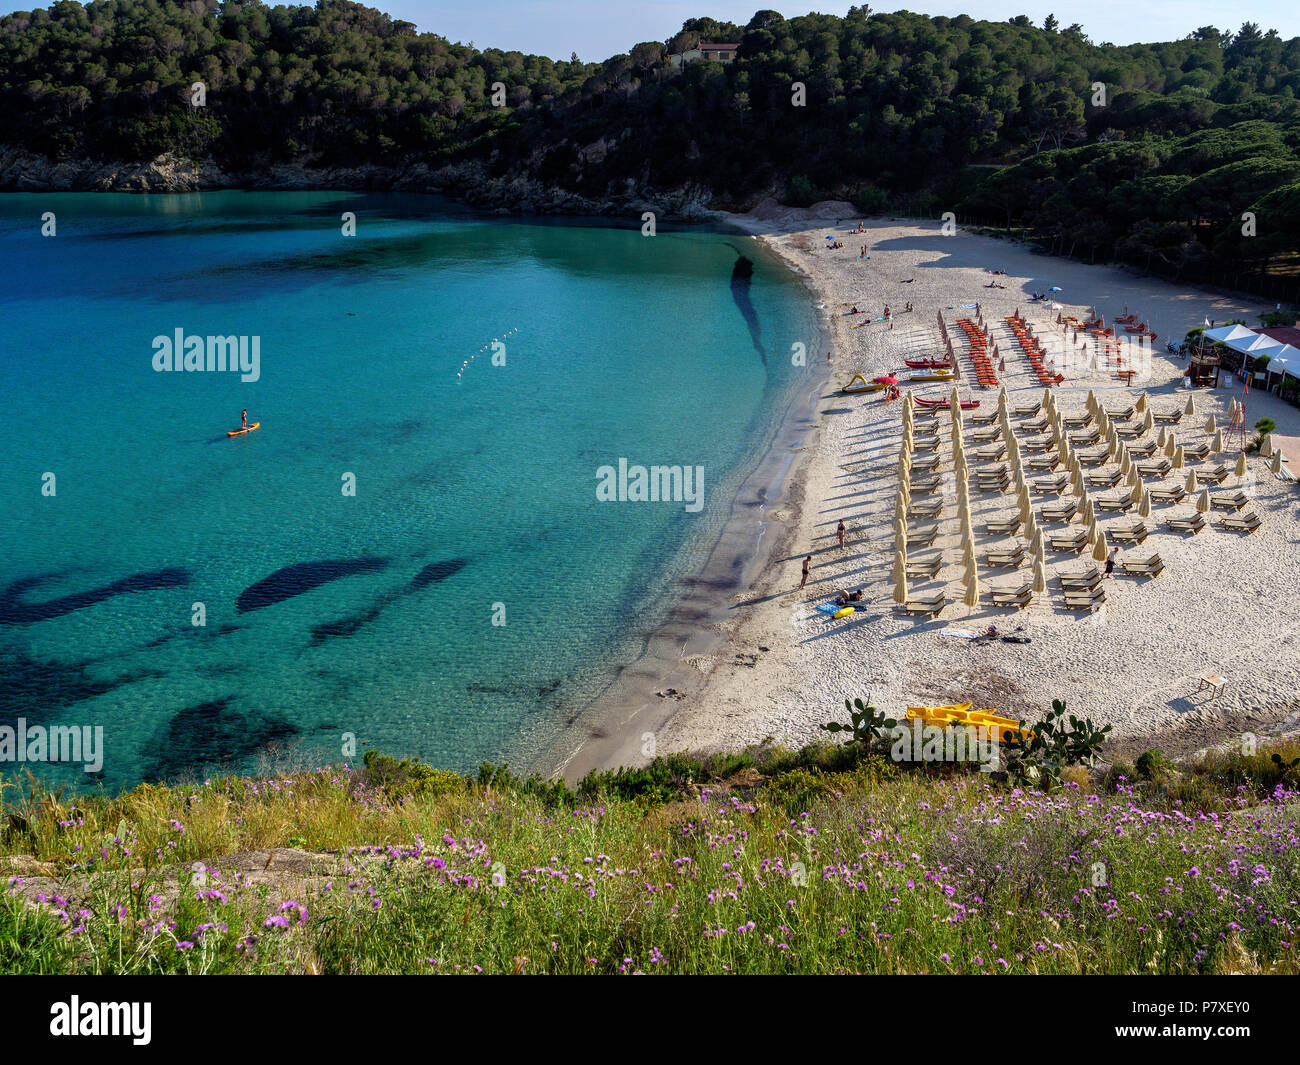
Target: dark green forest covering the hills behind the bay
1149, 153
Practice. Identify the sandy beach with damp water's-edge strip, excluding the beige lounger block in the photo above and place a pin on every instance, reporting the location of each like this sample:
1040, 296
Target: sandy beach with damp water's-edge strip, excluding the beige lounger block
778, 672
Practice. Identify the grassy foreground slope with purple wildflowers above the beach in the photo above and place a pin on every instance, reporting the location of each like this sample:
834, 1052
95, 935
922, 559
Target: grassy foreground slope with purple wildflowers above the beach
826, 860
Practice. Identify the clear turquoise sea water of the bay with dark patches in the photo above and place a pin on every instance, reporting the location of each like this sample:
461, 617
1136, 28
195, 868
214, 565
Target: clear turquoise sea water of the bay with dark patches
469, 493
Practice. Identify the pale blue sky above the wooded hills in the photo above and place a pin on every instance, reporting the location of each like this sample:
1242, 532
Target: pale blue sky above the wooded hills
599, 29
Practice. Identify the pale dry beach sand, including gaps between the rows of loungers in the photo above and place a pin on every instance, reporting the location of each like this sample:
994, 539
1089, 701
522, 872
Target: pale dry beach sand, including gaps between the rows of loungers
1225, 604
